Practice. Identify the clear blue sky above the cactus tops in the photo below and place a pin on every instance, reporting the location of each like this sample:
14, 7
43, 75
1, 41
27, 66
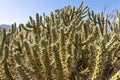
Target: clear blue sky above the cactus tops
19, 10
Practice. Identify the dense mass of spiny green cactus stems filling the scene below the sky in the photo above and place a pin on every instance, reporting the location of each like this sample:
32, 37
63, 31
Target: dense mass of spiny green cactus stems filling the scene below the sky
70, 44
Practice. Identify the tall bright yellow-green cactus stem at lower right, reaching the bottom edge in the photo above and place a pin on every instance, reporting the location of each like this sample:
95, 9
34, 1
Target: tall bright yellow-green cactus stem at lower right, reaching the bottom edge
97, 74
